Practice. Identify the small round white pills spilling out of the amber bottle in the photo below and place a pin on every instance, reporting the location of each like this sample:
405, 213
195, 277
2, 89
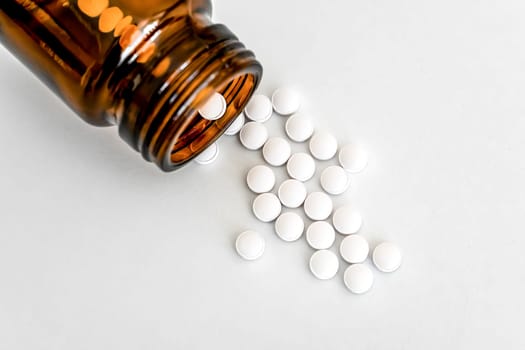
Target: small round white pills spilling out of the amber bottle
292, 193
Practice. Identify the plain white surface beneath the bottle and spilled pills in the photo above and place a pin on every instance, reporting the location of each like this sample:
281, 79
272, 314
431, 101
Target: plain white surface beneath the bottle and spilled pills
100, 250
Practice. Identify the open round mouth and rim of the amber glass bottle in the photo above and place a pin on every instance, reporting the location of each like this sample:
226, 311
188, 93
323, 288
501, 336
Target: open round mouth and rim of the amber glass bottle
185, 133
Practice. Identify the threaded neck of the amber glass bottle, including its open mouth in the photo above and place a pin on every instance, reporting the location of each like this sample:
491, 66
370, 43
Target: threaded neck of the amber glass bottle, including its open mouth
167, 75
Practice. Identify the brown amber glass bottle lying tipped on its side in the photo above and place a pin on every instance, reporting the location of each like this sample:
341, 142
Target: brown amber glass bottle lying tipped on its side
143, 65
